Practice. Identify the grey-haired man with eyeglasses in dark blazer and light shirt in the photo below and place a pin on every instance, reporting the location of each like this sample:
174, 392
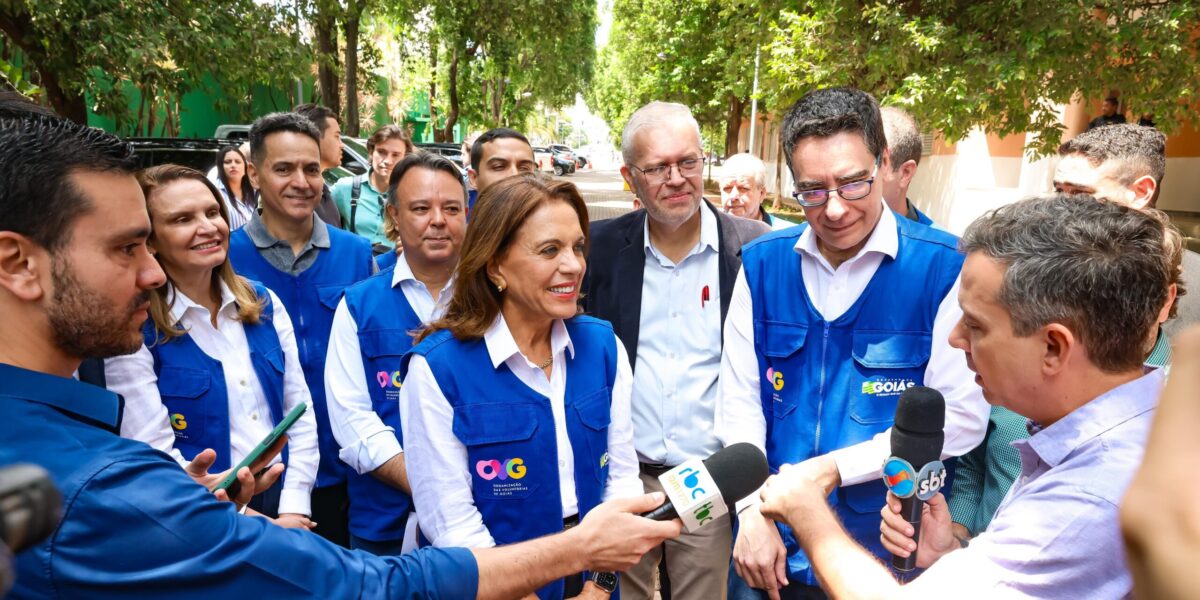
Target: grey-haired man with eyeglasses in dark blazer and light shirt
664, 277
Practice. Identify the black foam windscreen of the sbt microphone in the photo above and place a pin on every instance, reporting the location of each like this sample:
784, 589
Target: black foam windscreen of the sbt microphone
917, 435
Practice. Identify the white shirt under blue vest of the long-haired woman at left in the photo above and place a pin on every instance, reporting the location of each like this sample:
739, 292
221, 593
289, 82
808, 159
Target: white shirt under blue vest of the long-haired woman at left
250, 416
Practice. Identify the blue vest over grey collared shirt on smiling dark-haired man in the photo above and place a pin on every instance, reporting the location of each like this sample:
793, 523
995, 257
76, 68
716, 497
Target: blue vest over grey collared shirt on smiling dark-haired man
311, 299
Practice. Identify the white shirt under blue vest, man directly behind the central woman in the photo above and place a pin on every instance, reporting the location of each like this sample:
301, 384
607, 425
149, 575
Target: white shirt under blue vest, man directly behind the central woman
367, 443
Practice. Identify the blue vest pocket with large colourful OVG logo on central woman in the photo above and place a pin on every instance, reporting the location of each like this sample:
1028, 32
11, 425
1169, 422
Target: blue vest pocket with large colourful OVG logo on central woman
505, 458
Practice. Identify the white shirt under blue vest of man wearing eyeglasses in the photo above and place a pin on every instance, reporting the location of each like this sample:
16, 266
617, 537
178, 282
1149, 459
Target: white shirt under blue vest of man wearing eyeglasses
740, 416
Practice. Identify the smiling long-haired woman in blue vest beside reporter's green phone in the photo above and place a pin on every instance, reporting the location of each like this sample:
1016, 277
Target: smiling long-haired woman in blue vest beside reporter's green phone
219, 368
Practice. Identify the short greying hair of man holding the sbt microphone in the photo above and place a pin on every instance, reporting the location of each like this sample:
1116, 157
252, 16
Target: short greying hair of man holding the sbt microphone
1097, 267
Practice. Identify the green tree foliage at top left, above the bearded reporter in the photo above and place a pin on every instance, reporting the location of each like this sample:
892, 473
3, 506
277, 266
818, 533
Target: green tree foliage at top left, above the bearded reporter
86, 51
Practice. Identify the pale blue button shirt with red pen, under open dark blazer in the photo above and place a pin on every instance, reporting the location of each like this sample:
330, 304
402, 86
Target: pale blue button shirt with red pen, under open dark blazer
679, 351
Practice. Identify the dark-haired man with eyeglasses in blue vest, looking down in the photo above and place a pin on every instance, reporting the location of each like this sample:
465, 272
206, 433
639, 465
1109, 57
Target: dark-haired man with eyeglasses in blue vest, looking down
829, 325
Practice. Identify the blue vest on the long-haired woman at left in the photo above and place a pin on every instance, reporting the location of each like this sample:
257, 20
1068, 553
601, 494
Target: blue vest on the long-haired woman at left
193, 385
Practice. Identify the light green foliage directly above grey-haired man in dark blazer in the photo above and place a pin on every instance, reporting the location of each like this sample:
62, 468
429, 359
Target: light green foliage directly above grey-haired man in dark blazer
695, 52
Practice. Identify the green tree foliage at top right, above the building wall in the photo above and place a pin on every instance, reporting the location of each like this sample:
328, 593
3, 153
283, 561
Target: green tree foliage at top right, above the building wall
999, 65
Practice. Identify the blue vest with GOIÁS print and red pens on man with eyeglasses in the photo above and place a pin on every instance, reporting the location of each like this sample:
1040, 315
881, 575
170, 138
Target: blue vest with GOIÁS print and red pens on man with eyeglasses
832, 385
